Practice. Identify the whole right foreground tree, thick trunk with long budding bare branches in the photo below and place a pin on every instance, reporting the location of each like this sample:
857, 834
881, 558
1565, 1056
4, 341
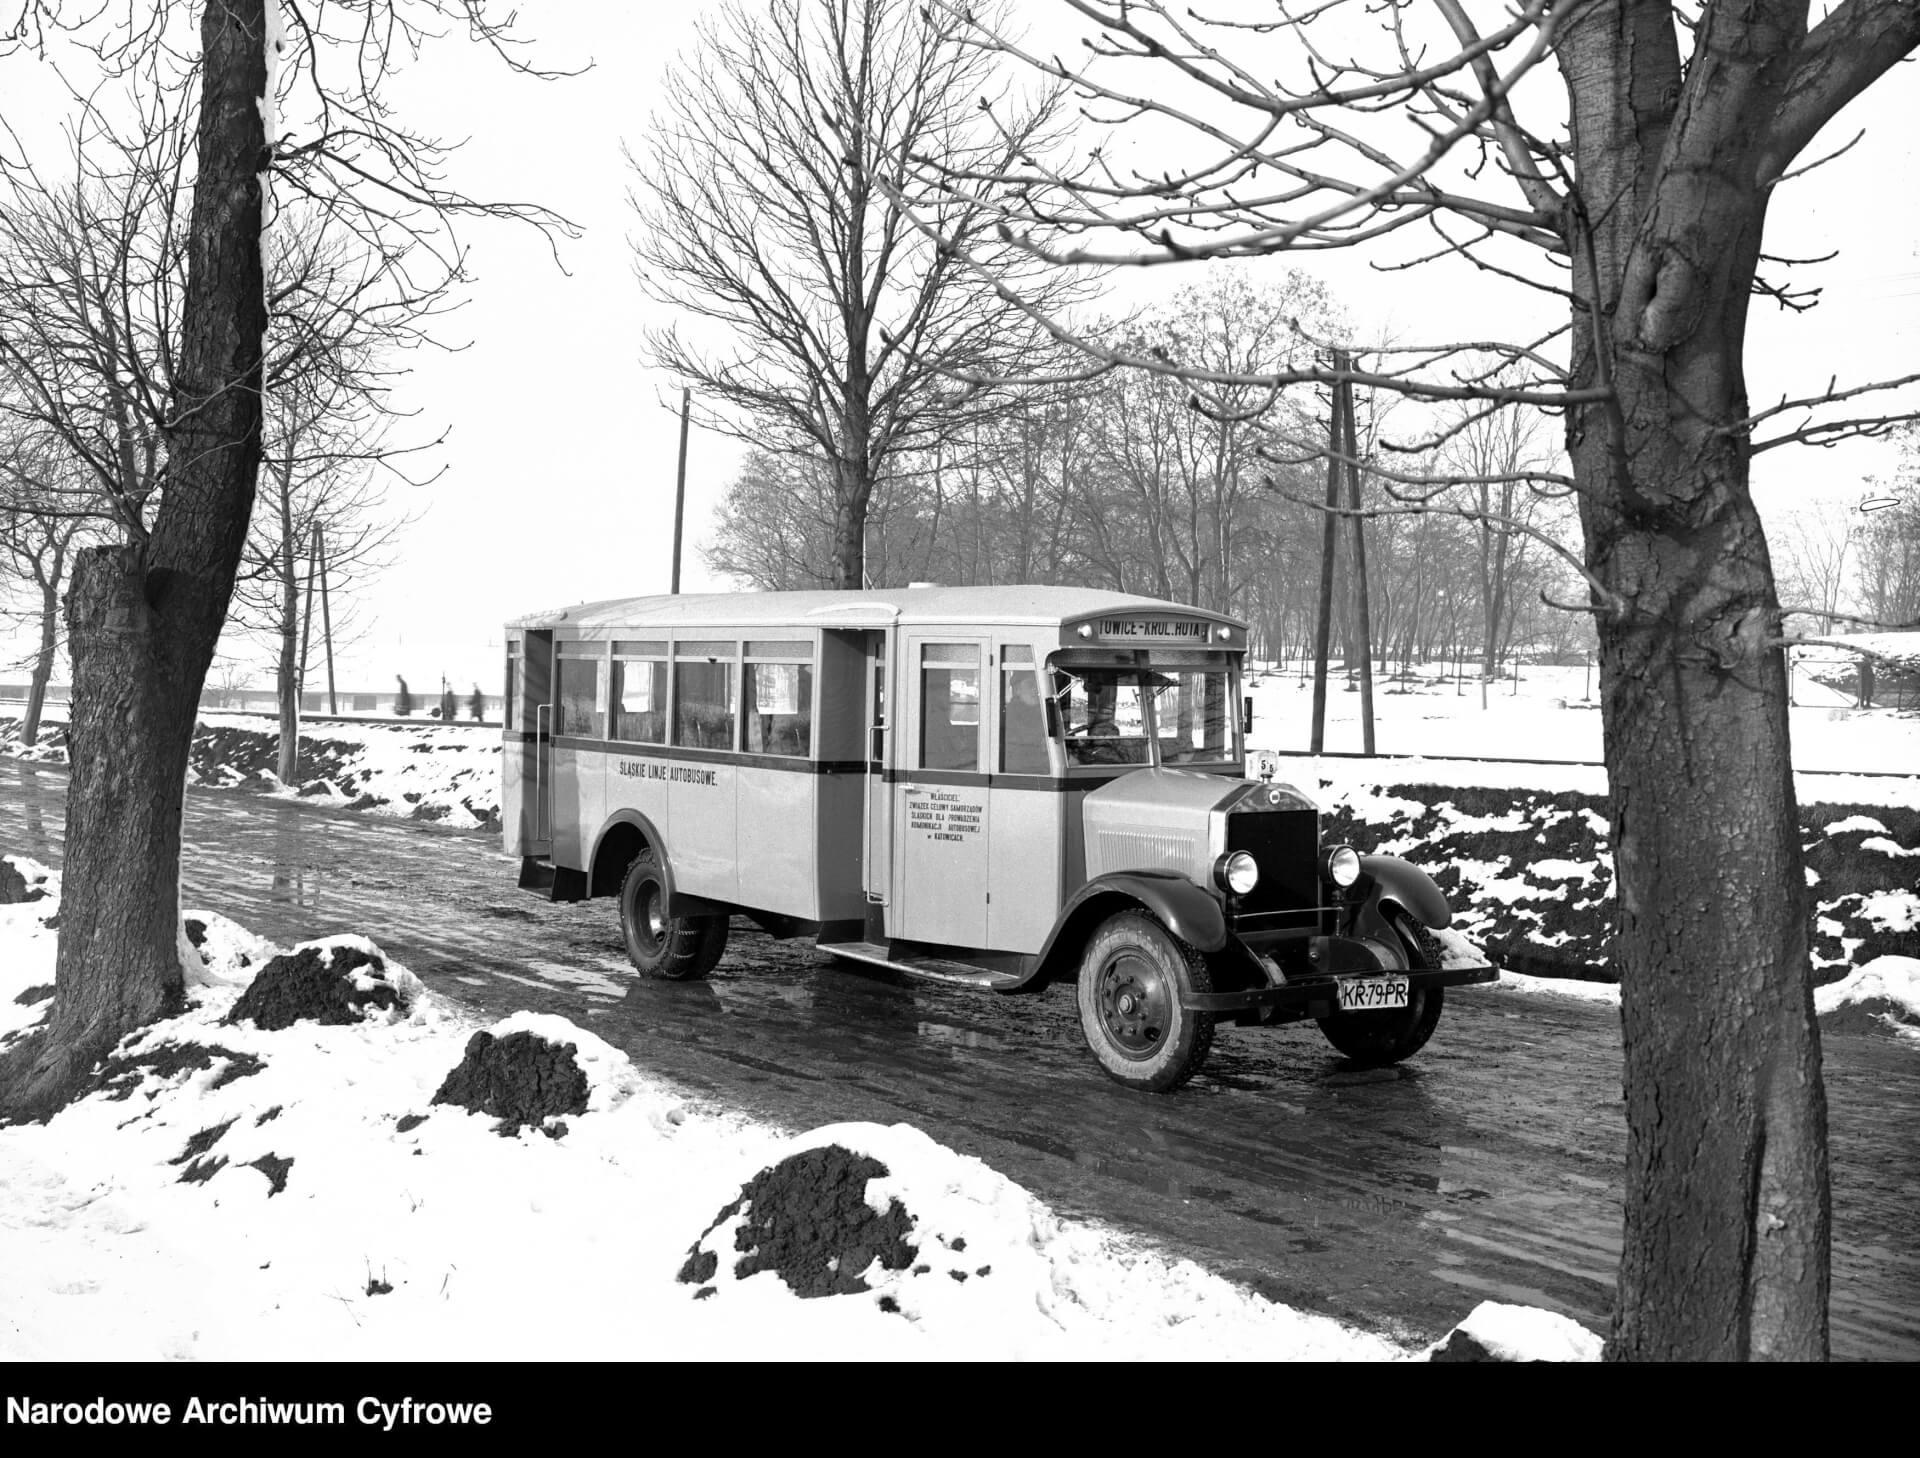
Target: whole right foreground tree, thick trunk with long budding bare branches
1644, 220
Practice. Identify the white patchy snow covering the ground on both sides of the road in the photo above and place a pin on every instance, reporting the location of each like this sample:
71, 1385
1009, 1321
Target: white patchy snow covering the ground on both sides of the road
335, 1211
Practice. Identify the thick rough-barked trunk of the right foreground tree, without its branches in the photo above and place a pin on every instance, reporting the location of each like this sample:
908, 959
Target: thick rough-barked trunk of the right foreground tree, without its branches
1727, 1186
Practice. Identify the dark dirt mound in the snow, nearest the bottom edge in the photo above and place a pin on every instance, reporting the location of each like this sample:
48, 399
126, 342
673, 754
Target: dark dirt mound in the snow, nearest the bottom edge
807, 1219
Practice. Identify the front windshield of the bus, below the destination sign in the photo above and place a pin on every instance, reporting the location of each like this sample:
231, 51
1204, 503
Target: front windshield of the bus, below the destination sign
1145, 716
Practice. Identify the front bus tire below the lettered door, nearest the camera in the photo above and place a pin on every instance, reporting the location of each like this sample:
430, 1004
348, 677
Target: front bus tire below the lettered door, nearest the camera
1134, 948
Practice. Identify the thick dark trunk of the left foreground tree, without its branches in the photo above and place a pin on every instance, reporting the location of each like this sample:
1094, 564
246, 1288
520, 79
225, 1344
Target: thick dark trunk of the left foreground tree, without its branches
143, 620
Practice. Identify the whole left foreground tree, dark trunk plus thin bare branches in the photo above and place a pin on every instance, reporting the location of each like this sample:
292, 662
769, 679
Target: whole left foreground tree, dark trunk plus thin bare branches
145, 616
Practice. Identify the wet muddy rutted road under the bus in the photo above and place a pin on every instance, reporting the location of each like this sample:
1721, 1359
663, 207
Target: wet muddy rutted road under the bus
1487, 1169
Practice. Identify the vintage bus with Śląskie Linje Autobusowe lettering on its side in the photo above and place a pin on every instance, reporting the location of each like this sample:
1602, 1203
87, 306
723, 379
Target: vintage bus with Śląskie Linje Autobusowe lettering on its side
997, 787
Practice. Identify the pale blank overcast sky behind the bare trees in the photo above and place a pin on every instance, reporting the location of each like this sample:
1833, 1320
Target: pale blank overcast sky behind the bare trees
560, 464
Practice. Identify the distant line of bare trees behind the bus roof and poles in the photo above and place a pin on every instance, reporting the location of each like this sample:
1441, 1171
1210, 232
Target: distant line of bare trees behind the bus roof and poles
1122, 483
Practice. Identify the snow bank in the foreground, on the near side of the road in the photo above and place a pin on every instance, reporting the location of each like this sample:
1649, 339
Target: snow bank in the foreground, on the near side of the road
299, 1196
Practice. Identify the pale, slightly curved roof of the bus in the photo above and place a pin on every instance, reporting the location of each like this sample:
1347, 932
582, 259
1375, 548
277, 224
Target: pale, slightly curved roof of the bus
859, 610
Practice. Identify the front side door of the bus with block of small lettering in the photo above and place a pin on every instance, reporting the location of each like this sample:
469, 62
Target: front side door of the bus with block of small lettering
940, 792
